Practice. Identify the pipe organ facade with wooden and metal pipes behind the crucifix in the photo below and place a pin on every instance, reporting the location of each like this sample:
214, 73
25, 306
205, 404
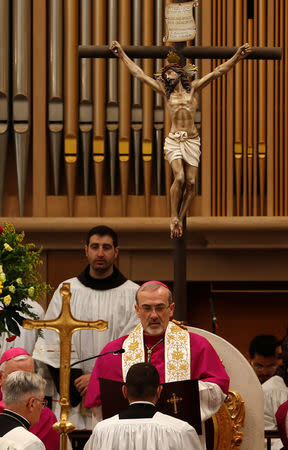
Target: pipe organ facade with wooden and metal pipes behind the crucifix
81, 137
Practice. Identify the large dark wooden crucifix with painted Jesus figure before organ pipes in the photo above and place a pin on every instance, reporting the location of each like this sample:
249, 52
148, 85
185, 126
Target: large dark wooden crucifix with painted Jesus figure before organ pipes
183, 129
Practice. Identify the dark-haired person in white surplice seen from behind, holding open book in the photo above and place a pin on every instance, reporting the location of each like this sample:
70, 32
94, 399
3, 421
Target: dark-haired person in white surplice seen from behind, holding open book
141, 427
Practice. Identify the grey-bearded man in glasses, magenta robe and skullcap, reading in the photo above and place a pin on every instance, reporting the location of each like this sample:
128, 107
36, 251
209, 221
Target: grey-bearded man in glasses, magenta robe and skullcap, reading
177, 354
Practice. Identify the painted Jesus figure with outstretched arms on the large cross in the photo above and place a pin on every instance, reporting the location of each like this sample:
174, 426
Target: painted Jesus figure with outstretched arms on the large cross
182, 145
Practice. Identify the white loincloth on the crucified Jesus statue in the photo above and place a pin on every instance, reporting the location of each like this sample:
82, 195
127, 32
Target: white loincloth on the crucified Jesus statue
179, 145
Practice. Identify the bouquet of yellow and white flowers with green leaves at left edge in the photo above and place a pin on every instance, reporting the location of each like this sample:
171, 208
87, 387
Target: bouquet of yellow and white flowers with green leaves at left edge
19, 280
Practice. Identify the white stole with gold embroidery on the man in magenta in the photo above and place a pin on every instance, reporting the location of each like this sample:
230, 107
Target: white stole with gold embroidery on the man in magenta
177, 352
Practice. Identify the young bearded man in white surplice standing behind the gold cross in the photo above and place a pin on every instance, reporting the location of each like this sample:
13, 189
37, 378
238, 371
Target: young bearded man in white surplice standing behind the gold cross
101, 291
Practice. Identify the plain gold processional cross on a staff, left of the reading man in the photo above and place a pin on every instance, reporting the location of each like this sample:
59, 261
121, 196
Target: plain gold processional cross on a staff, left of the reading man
65, 325
